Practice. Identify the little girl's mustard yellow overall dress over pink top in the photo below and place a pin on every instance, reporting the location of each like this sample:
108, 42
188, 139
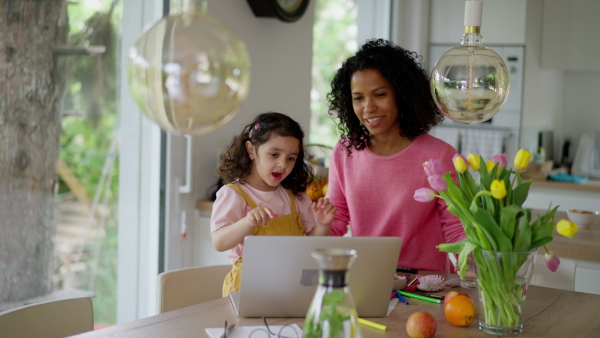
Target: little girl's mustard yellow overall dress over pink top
286, 225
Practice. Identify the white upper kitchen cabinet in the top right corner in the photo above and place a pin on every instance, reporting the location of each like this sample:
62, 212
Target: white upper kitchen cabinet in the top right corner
570, 35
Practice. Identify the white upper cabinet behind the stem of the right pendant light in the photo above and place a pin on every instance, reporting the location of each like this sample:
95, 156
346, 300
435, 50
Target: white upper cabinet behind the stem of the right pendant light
502, 22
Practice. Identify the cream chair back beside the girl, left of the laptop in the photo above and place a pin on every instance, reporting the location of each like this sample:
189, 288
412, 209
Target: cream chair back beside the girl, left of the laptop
189, 286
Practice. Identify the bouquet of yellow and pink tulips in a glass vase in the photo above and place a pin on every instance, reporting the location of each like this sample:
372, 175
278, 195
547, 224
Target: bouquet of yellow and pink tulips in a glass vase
491, 211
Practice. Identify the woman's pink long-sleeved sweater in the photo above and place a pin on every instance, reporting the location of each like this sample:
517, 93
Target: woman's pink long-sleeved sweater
375, 195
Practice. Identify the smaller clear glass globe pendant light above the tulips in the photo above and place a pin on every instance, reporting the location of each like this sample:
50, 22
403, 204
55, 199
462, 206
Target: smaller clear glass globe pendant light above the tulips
470, 82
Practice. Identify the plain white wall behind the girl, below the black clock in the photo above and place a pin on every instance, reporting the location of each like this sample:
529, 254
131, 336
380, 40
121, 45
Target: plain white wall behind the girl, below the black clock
281, 59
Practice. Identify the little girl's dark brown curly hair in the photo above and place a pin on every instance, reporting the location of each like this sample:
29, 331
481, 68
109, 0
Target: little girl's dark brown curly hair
236, 163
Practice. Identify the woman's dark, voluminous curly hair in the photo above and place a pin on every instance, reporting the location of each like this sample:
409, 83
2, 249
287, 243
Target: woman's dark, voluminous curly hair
417, 111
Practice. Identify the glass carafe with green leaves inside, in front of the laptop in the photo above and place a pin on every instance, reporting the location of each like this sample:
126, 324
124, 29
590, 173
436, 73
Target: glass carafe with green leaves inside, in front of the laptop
332, 313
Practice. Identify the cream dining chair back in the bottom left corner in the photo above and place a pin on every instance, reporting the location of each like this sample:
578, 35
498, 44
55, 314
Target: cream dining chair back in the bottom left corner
52, 319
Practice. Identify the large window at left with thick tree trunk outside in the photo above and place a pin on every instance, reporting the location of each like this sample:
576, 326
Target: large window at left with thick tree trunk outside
60, 226
